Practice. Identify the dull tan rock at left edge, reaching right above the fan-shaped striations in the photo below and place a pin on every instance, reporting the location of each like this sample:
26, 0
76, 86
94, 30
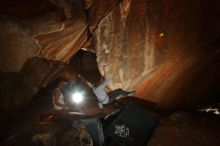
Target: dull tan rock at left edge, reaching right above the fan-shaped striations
16, 39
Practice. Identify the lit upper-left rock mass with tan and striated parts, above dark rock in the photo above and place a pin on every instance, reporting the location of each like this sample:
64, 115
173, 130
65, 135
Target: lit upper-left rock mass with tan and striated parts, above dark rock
40, 28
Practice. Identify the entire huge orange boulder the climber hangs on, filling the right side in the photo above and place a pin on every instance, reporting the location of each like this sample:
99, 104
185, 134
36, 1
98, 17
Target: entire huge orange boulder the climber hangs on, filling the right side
167, 51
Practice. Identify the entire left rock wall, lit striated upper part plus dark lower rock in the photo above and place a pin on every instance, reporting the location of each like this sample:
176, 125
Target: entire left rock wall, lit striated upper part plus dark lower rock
36, 39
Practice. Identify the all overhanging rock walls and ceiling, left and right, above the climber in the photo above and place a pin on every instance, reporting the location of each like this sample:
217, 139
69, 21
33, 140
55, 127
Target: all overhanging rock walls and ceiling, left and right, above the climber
168, 51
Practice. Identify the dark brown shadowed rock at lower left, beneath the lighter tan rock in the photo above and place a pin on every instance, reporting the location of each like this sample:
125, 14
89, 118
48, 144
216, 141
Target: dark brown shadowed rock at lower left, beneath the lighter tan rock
17, 89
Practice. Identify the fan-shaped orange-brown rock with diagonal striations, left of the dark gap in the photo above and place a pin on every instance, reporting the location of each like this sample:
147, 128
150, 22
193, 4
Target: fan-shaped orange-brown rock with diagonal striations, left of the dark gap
62, 45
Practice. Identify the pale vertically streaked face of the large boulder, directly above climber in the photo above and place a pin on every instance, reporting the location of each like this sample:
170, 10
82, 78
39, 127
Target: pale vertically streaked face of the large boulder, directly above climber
122, 42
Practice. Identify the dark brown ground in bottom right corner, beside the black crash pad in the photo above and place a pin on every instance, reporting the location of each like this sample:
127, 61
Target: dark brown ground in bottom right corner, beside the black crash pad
187, 128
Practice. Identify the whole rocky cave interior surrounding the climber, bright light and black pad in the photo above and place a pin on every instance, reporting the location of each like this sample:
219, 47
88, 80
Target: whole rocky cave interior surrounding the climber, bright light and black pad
167, 51
